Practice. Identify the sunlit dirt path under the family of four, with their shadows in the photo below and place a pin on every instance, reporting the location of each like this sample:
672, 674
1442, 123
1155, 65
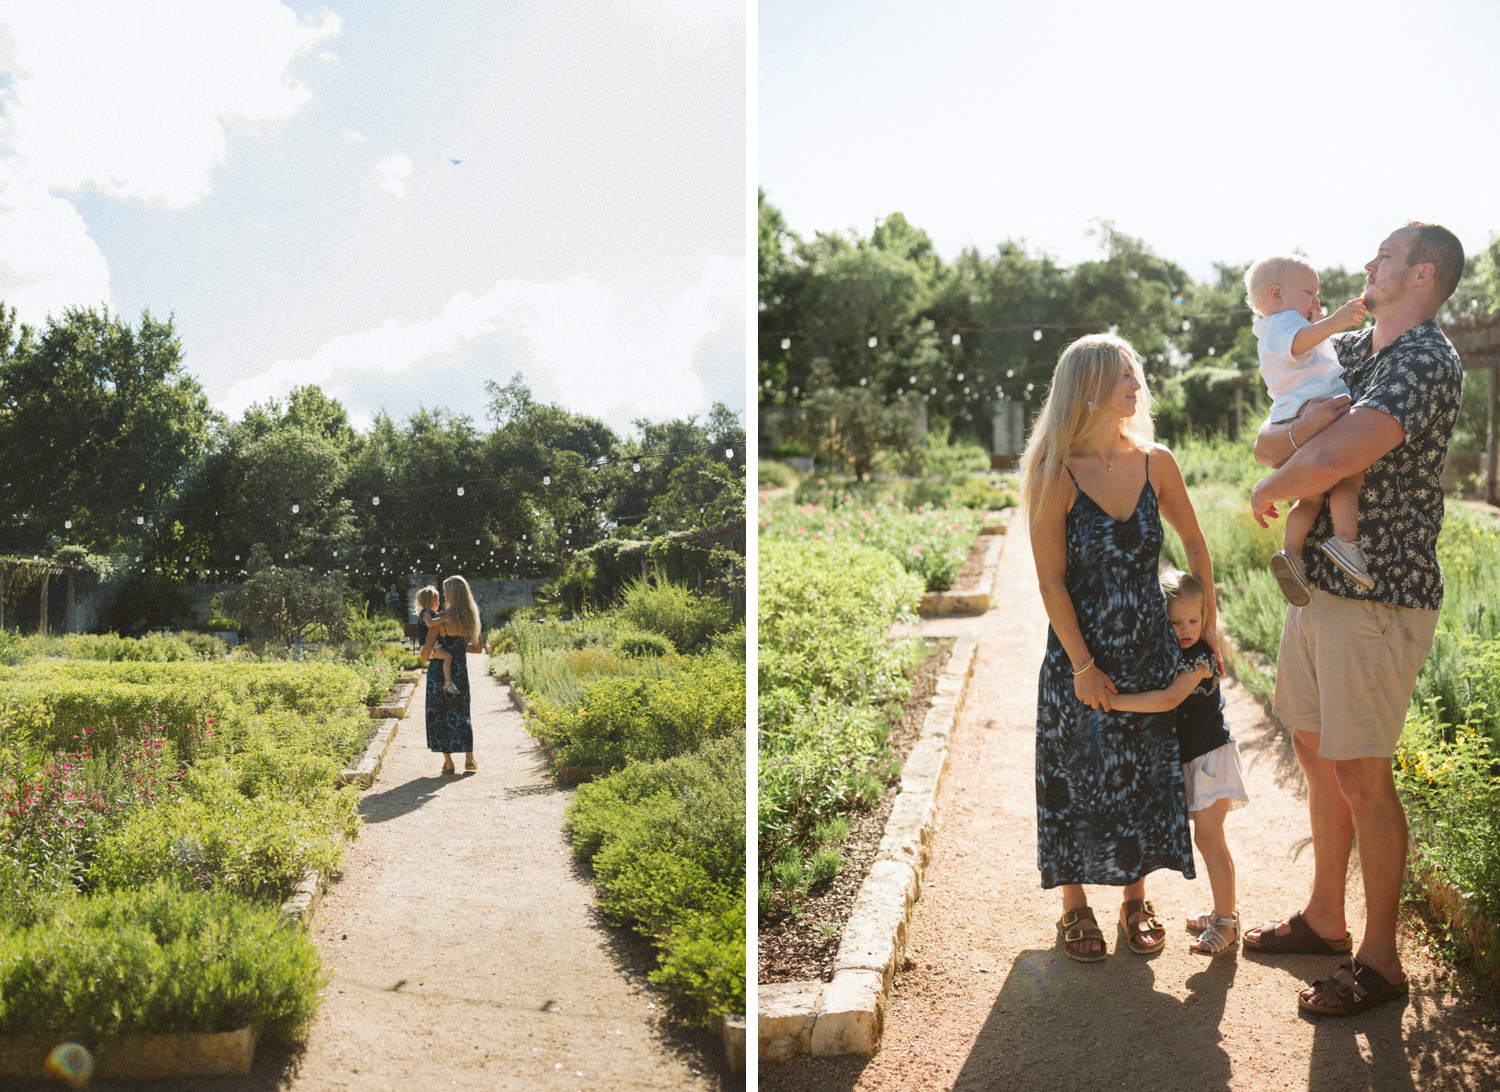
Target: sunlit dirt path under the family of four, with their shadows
989, 1004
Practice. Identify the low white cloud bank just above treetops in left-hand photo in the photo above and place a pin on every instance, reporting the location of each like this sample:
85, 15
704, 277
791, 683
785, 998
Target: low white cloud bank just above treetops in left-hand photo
568, 338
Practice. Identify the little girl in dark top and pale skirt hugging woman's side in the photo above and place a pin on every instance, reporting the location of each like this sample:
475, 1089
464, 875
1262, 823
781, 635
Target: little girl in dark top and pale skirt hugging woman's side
1208, 754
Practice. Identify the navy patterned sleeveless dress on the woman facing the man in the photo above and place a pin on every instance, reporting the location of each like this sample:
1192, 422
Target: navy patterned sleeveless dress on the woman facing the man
1109, 787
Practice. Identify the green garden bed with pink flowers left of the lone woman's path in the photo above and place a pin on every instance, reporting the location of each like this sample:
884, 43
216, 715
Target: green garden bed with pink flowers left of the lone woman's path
160, 815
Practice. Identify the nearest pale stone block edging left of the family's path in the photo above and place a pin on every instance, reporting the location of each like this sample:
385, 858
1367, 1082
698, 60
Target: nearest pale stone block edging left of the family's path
848, 1015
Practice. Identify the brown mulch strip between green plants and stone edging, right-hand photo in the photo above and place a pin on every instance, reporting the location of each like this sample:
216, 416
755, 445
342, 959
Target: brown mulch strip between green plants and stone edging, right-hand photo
802, 947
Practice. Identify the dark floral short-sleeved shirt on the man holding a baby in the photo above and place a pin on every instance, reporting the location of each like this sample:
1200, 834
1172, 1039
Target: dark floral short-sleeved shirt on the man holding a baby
1418, 379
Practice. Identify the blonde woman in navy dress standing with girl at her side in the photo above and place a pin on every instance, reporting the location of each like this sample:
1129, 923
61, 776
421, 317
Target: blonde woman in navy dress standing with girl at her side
1111, 803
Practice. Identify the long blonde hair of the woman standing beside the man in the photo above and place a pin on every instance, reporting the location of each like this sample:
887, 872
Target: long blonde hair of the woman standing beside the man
1081, 391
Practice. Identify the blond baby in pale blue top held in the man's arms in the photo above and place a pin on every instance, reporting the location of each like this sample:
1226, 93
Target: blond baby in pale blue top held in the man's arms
1298, 364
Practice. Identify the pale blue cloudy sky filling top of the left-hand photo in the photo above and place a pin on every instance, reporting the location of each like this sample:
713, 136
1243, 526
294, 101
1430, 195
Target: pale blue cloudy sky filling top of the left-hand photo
278, 178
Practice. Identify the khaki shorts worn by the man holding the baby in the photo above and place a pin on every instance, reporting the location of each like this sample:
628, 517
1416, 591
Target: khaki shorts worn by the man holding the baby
1348, 670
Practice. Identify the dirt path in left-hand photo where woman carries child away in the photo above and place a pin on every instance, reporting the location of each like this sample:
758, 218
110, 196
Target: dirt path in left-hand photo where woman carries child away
464, 947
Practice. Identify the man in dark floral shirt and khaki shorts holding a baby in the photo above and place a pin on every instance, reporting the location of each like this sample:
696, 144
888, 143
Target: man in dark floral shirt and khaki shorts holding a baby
1351, 658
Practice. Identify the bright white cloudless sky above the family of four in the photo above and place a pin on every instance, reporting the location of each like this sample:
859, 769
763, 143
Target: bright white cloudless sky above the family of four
1216, 133
